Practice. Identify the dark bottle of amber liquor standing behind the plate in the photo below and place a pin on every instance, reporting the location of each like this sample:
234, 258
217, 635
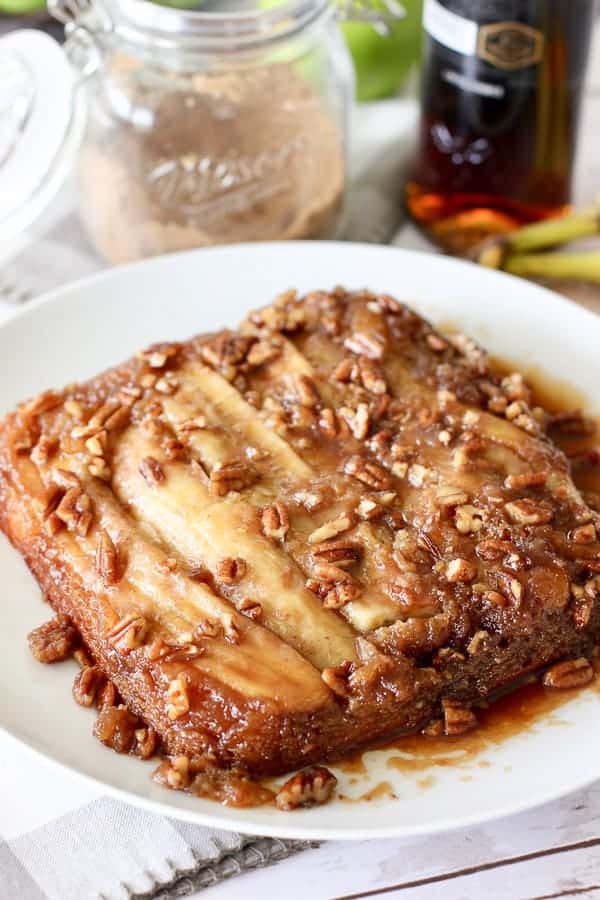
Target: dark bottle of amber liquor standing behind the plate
498, 127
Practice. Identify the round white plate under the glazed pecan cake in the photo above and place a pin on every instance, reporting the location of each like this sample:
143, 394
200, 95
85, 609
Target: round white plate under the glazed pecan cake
85, 327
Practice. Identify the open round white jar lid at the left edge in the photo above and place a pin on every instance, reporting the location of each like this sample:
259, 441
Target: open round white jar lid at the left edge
40, 126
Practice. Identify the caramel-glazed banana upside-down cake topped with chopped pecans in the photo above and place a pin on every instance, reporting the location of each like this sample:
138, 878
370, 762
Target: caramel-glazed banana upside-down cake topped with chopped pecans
273, 545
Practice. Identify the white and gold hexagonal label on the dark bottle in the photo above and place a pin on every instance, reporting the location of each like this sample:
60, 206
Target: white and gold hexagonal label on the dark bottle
505, 45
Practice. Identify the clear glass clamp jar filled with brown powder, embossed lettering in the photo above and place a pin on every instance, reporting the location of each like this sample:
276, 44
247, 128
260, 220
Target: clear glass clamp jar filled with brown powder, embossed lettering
206, 127
